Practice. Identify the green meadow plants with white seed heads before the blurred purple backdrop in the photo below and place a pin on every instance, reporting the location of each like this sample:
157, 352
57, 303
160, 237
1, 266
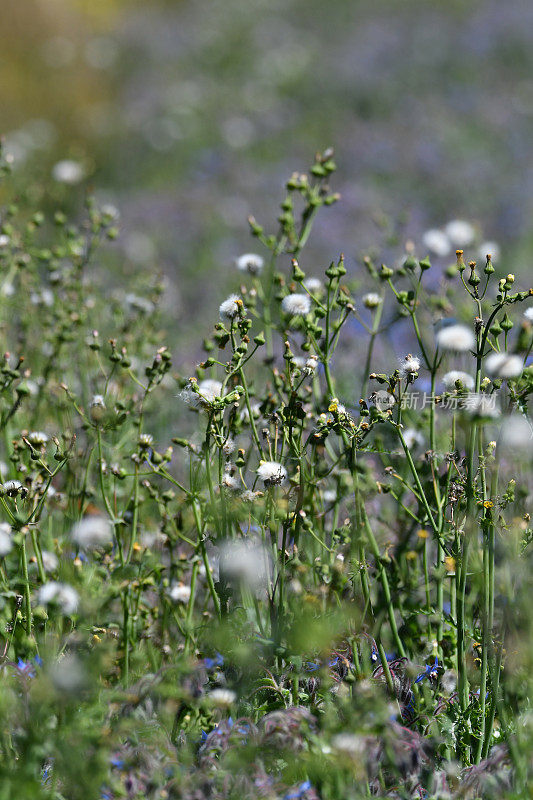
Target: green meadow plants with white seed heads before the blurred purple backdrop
301, 570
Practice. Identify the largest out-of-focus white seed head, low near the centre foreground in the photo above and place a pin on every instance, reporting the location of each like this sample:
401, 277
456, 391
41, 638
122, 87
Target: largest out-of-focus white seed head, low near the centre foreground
245, 561
